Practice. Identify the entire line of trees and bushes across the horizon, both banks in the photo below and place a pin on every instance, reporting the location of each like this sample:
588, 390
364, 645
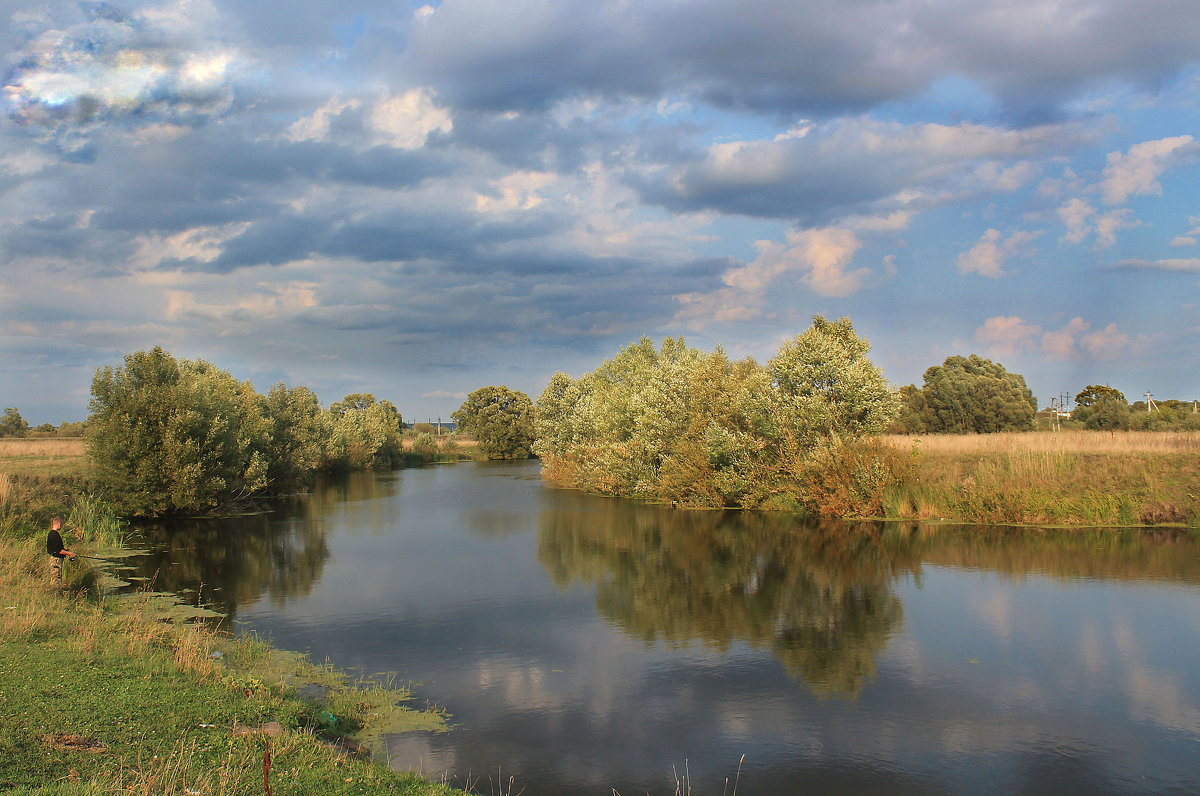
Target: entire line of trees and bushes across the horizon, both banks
668, 423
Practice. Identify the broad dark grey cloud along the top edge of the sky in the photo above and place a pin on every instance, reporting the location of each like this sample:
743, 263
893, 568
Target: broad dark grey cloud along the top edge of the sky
778, 57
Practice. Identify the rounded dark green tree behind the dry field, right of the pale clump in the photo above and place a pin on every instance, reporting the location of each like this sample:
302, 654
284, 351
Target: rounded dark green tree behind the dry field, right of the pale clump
976, 396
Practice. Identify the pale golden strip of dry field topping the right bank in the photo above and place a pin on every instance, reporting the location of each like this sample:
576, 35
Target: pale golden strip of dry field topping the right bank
1045, 442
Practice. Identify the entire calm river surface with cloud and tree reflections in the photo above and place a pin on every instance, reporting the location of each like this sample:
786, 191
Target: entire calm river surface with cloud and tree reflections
586, 645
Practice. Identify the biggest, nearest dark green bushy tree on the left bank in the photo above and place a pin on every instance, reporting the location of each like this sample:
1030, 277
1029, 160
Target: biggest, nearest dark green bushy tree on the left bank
176, 436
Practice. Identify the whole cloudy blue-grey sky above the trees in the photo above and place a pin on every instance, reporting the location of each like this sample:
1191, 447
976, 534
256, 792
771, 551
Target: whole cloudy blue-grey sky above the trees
418, 201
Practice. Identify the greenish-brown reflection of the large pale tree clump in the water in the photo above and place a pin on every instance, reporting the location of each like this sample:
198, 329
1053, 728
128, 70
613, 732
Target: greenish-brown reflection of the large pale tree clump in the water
819, 597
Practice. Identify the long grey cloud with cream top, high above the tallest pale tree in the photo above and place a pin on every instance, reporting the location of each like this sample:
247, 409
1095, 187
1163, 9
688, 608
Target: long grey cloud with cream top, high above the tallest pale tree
854, 166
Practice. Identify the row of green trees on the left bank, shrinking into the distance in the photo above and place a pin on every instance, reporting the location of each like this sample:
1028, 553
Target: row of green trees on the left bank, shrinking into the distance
173, 435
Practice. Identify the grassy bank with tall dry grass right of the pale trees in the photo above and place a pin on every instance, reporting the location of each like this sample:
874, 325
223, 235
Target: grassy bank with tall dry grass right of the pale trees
1071, 478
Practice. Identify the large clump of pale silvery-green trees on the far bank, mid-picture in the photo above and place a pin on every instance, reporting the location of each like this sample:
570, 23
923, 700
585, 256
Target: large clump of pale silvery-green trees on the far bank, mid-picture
680, 426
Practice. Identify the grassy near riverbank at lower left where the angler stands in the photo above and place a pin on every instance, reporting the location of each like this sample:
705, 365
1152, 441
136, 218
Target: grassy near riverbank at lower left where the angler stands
116, 695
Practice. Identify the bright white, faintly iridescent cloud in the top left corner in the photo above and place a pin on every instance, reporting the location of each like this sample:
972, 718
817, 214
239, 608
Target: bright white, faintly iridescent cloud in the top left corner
83, 68
